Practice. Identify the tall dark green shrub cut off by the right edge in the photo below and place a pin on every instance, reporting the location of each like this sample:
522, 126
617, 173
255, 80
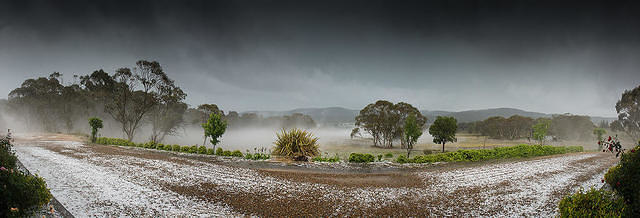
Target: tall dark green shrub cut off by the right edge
624, 179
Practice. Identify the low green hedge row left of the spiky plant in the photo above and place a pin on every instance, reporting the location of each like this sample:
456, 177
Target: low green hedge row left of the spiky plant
193, 149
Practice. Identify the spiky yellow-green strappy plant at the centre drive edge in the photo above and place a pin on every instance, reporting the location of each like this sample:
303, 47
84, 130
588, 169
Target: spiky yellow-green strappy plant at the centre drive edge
296, 143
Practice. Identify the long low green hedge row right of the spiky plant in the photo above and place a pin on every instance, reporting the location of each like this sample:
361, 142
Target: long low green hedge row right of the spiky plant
487, 154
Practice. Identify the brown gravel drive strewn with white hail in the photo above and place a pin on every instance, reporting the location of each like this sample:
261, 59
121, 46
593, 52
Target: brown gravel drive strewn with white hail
95, 180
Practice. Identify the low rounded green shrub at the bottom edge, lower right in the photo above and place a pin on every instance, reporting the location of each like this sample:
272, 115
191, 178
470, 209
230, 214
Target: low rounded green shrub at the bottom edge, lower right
592, 203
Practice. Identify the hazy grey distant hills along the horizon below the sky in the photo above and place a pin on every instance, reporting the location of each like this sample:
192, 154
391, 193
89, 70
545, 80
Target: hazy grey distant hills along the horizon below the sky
338, 115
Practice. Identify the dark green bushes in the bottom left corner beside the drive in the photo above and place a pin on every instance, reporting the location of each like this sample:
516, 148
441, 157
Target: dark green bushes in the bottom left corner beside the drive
22, 194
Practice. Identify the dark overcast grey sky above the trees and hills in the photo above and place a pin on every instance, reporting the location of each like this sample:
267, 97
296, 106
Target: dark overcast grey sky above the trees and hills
544, 56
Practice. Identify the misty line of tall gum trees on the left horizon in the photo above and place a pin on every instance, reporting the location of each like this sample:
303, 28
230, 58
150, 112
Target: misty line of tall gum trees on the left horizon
129, 98
